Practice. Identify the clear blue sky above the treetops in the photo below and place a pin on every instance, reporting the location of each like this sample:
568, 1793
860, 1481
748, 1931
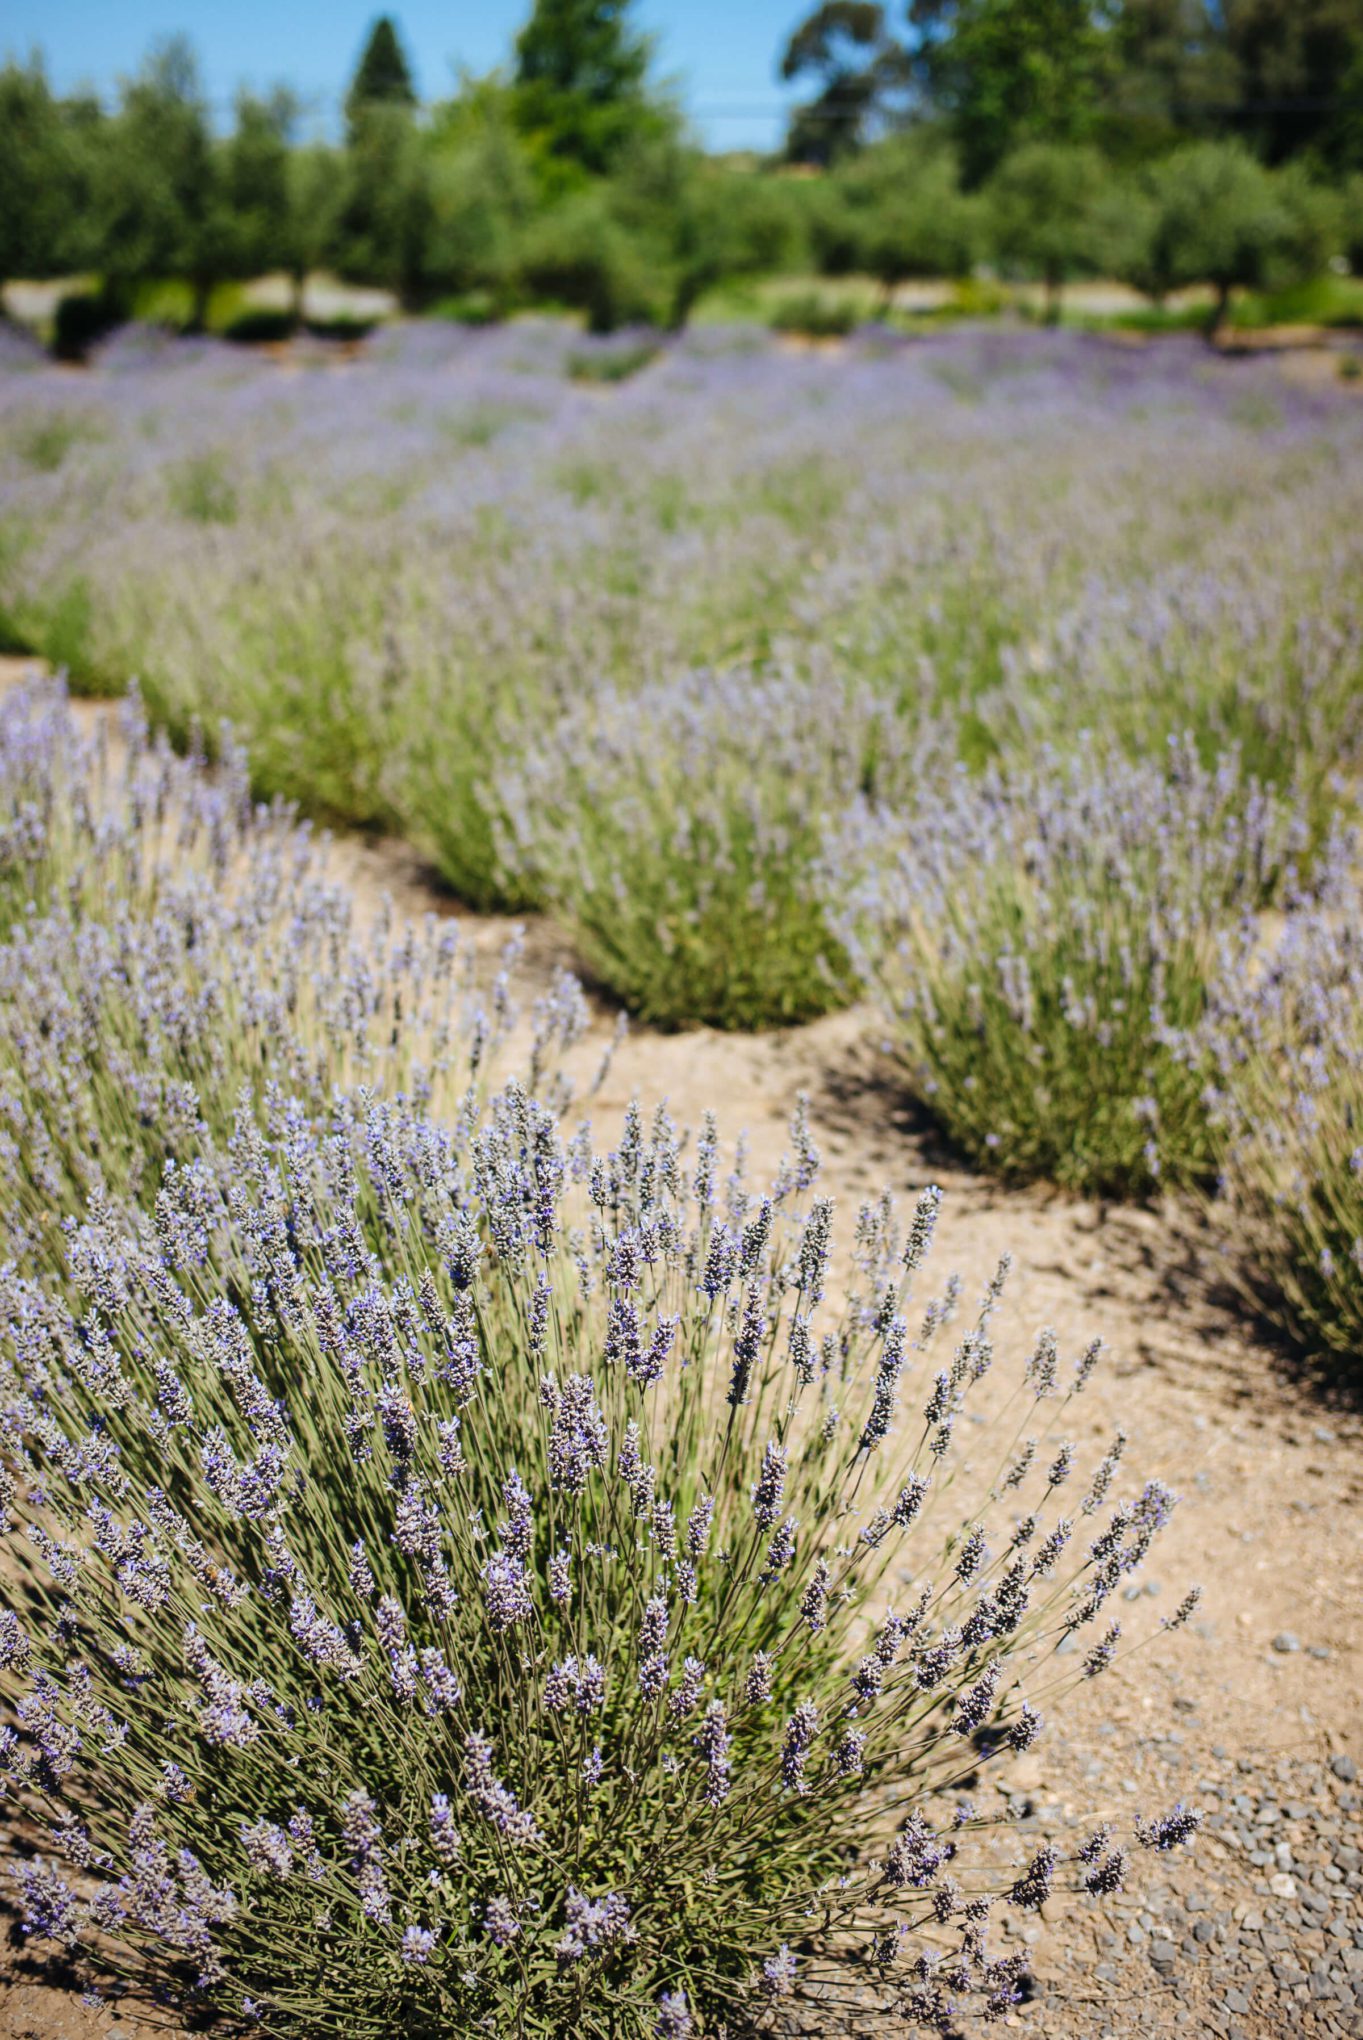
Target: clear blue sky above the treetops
723, 52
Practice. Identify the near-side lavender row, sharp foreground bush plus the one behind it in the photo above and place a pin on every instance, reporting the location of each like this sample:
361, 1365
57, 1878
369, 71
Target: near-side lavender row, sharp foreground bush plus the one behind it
462, 1578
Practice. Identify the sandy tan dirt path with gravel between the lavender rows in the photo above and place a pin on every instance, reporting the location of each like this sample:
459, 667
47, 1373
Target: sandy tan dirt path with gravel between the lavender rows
1254, 1717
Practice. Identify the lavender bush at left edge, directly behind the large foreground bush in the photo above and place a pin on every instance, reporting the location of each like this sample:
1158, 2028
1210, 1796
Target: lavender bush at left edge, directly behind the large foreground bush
172, 943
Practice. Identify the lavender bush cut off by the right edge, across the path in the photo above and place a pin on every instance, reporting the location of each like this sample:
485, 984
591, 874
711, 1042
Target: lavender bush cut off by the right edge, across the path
1289, 1041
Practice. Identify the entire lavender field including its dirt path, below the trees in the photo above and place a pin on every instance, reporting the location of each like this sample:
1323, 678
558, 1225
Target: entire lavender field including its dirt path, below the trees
491, 1551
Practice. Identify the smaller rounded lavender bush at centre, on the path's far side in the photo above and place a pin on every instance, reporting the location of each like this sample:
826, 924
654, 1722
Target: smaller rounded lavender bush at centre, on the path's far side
678, 833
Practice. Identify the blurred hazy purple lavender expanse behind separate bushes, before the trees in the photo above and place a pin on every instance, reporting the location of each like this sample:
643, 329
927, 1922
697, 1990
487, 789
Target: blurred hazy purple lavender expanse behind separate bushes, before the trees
399, 572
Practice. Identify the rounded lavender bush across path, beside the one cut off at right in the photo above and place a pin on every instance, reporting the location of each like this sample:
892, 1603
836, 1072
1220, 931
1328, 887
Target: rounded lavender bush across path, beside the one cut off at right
1042, 950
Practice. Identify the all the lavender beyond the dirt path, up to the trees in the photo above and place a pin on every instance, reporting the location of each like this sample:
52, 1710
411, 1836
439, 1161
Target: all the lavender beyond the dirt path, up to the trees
1007, 676
